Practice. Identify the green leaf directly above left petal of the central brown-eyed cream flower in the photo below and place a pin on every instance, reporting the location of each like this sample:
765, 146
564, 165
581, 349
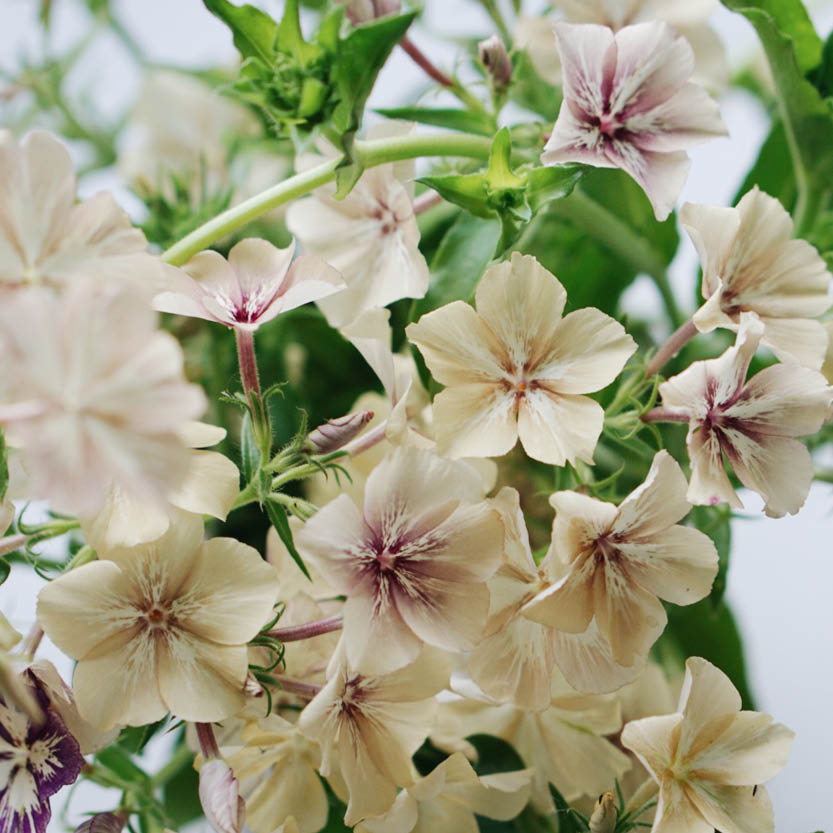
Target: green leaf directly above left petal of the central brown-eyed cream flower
461, 259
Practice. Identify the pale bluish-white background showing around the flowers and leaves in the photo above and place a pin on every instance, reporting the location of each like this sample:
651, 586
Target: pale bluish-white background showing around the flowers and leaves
781, 571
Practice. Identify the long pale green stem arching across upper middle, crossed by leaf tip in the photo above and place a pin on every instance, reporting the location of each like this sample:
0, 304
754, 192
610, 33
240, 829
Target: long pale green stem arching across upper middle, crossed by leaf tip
370, 153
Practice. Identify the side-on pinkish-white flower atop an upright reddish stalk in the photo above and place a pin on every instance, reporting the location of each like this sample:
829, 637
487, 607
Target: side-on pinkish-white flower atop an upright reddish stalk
257, 282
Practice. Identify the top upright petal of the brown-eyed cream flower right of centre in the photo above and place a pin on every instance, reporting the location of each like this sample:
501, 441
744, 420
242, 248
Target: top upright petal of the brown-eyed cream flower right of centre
522, 304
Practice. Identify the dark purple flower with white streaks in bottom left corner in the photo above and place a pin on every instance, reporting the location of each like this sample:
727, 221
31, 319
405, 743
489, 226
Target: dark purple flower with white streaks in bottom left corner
36, 760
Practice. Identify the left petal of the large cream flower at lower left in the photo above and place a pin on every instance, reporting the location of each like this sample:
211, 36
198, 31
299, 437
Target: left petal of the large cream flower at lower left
86, 606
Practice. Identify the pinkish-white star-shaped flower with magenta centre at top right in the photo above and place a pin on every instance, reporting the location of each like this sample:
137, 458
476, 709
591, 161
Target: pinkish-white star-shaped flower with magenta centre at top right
628, 103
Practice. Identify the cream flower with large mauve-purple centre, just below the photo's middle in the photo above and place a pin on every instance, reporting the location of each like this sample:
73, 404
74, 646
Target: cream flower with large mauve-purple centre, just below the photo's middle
413, 563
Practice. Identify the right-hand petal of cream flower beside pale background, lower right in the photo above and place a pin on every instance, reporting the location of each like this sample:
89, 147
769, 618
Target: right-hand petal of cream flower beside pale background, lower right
678, 565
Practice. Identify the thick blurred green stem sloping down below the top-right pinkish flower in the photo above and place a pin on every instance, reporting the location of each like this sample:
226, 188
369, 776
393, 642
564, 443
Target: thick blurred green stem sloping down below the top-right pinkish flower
621, 239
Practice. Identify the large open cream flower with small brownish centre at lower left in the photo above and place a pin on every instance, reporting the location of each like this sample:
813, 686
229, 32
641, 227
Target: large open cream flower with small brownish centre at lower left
161, 627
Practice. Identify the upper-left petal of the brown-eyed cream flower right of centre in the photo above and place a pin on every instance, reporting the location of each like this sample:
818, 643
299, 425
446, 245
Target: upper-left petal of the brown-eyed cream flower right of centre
458, 346
